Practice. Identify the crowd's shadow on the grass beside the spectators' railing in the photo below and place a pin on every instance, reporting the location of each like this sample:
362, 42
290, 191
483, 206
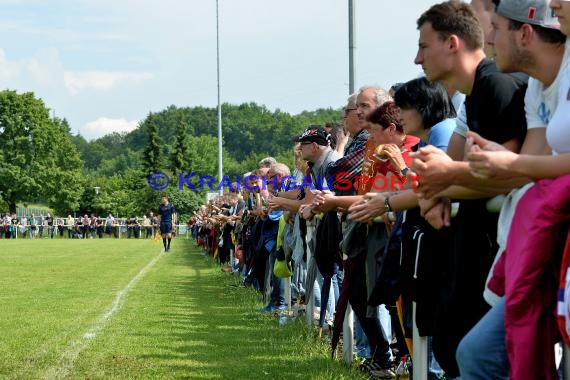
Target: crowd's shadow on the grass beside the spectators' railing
214, 331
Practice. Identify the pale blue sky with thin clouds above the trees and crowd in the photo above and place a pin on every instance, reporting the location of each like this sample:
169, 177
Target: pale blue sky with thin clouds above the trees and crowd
104, 65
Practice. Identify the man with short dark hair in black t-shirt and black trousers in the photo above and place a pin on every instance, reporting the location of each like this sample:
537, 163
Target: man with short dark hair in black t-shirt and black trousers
451, 49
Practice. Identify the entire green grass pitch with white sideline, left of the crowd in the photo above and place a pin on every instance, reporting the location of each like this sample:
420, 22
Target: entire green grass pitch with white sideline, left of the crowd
99, 309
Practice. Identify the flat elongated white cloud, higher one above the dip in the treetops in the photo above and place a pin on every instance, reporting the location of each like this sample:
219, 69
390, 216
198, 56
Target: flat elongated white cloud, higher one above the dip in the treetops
75, 81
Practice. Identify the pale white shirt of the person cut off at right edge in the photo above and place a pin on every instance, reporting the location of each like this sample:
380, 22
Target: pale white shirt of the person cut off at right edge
558, 130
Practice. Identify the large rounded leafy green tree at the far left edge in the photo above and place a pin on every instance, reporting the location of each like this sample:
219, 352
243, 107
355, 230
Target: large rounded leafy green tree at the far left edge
38, 158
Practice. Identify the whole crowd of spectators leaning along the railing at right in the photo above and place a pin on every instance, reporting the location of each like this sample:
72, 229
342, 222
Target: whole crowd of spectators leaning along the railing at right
469, 230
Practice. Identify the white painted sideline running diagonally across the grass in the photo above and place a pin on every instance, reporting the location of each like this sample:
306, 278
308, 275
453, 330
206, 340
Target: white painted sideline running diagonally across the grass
68, 357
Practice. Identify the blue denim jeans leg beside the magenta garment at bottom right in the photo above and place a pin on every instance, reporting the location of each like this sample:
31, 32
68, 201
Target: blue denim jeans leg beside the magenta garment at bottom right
482, 353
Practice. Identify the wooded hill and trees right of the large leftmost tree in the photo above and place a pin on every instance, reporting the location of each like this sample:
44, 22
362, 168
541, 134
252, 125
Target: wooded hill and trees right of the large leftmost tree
188, 139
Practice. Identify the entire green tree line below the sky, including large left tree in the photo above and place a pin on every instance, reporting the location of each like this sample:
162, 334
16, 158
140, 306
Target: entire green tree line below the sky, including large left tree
43, 162
